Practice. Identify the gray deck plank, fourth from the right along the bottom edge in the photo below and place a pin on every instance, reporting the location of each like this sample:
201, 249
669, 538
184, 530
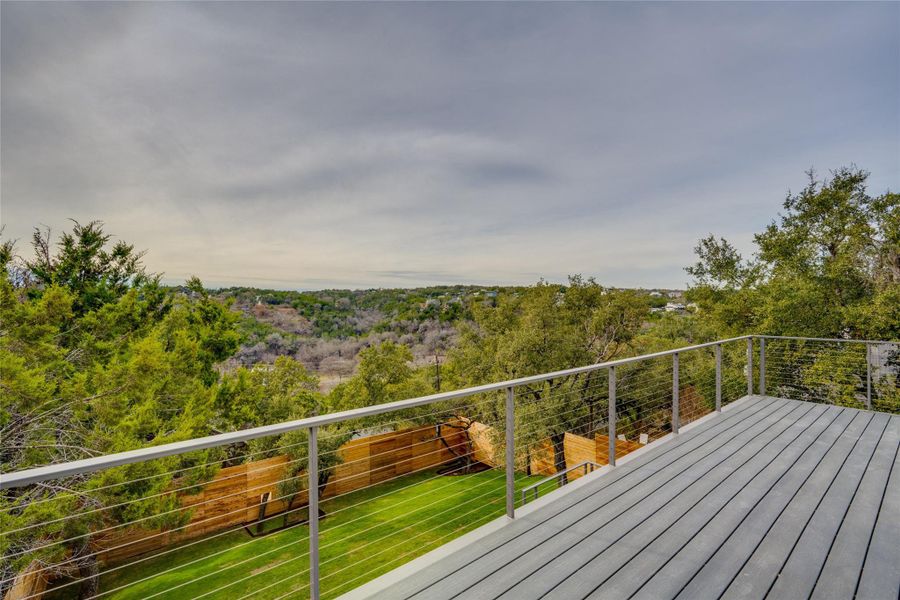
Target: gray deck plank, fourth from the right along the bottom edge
761, 570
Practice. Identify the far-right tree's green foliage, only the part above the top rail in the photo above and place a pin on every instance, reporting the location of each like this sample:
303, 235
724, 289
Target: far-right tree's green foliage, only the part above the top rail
828, 267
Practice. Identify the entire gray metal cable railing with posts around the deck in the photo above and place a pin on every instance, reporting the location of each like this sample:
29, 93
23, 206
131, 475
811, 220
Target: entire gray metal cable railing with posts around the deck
317, 506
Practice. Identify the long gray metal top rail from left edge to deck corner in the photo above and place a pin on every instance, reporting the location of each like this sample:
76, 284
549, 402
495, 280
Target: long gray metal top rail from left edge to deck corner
90, 465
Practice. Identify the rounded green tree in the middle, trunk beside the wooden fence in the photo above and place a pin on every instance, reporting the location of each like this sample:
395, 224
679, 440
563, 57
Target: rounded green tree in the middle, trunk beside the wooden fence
544, 329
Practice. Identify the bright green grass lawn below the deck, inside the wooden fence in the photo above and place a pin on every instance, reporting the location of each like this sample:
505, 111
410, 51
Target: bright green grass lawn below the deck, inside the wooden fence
364, 535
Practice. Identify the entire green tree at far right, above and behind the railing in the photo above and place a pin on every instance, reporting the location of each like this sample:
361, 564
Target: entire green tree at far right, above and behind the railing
829, 267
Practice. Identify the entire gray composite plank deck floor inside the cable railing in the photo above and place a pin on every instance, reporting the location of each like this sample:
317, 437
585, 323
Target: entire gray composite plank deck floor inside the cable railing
773, 499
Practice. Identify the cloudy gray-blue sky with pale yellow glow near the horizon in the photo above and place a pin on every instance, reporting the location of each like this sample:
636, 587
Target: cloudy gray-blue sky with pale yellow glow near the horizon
310, 146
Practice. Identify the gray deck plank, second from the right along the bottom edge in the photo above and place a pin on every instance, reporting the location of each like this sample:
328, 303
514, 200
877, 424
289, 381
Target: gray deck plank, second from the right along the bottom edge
842, 569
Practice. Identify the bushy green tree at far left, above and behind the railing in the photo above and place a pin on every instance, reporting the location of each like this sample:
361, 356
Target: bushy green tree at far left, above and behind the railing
97, 358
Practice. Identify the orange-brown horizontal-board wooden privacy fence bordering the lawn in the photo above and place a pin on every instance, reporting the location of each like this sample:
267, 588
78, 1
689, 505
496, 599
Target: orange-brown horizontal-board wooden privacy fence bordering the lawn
233, 498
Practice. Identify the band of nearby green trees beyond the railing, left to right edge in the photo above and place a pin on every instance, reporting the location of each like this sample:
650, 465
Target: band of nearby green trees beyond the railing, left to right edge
98, 357
